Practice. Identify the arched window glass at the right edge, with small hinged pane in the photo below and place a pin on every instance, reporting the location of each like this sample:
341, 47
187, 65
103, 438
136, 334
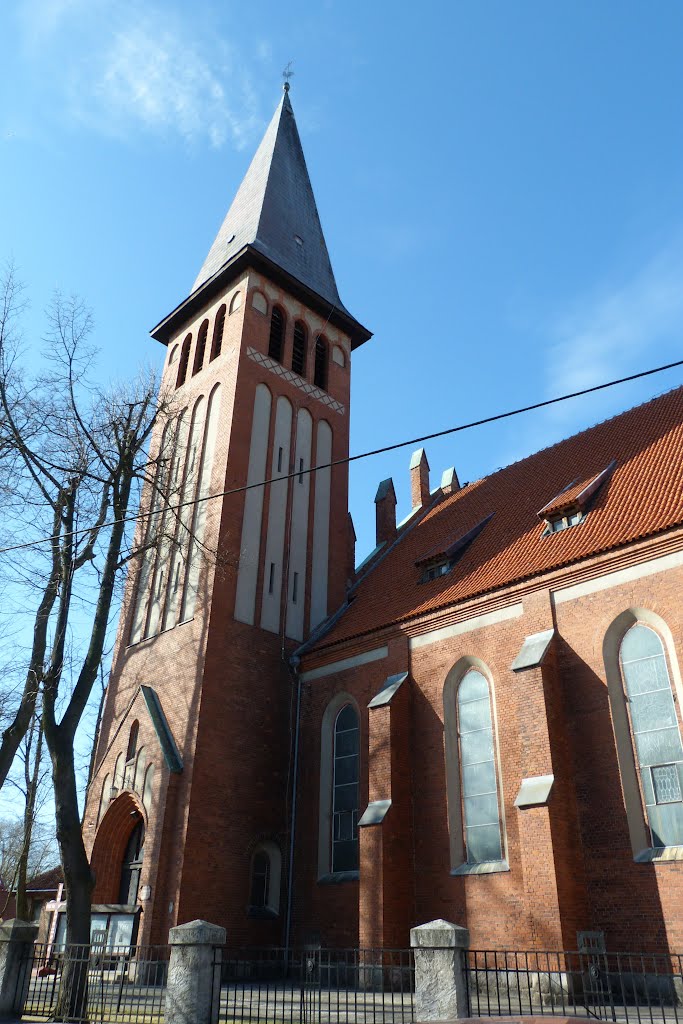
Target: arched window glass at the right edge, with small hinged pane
657, 734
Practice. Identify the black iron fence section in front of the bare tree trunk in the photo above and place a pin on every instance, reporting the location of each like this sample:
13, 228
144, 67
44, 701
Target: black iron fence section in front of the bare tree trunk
94, 984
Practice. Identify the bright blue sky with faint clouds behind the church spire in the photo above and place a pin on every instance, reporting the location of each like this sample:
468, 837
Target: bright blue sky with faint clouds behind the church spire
500, 184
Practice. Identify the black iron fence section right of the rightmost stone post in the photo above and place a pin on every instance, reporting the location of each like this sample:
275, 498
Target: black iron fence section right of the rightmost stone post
630, 988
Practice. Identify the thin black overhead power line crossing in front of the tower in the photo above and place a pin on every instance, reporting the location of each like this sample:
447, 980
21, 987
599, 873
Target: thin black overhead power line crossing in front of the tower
362, 455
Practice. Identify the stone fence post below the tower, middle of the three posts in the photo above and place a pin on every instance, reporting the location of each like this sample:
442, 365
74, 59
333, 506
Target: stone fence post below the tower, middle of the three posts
193, 994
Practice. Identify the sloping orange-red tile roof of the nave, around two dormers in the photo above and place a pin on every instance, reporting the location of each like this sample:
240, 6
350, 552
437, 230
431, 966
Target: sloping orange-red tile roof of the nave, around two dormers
643, 497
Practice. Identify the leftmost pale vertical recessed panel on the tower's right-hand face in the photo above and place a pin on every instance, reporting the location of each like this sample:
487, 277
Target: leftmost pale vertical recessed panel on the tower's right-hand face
245, 601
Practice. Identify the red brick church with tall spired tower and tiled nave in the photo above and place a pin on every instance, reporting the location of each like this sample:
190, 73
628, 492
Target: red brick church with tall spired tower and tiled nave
483, 722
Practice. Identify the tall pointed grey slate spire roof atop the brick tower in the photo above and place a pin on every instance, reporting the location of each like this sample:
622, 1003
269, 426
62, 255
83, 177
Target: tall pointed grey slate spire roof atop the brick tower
274, 207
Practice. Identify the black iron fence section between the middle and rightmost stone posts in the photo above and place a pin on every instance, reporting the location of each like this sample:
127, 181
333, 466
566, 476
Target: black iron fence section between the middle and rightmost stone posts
315, 986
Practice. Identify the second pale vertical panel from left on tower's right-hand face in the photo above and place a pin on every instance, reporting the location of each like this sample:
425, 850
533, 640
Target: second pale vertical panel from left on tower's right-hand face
275, 543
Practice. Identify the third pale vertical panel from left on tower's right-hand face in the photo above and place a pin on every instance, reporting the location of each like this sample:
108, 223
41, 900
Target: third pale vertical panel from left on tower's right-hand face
296, 590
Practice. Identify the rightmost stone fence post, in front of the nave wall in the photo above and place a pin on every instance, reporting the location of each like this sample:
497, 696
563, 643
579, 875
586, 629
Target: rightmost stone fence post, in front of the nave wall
441, 971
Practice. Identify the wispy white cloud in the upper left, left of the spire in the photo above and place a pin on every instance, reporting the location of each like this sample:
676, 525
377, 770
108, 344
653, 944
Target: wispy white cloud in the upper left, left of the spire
135, 66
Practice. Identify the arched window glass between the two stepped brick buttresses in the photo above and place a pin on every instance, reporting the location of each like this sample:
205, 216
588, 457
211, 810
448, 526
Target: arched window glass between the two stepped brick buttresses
482, 816
